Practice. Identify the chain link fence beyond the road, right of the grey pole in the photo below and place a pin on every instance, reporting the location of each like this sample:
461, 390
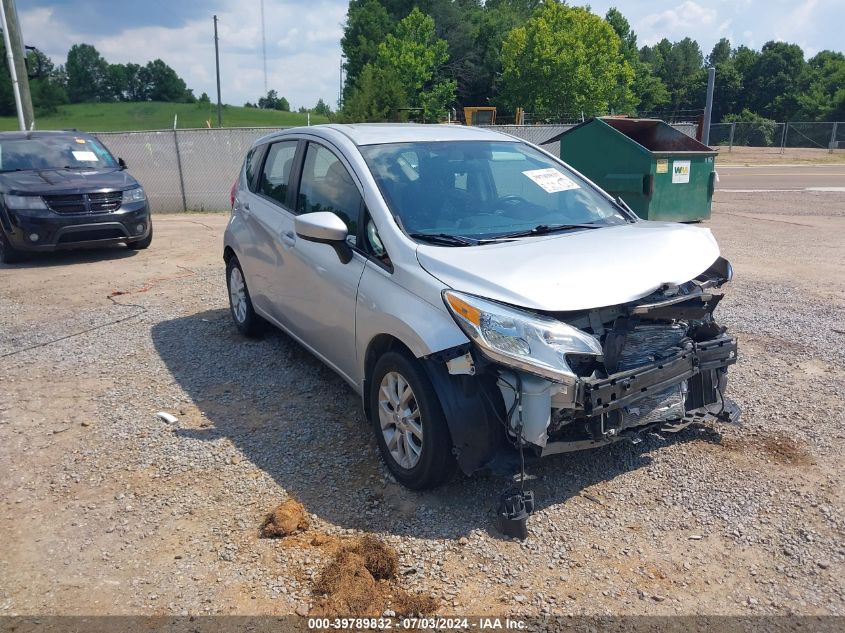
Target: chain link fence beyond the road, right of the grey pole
769, 134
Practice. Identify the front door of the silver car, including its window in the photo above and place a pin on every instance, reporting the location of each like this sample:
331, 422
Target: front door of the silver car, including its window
318, 290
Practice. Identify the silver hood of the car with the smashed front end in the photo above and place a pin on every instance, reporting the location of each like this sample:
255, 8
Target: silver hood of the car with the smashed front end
578, 270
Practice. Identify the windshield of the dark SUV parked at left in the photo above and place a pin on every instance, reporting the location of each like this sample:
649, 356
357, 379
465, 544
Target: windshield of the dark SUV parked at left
54, 152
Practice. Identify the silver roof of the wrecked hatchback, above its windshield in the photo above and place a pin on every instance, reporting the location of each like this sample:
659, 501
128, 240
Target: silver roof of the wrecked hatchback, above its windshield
376, 133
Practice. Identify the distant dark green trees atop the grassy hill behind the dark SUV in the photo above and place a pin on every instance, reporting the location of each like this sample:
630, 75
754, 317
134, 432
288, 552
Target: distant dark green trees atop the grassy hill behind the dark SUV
88, 77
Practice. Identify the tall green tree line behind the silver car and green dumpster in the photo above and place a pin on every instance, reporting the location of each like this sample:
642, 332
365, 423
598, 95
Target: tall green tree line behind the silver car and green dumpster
419, 58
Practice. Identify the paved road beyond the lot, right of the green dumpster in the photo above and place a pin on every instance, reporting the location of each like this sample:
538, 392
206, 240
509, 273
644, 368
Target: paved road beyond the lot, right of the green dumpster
781, 178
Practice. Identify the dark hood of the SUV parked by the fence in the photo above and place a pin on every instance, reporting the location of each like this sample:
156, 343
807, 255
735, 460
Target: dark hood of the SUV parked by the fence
52, 181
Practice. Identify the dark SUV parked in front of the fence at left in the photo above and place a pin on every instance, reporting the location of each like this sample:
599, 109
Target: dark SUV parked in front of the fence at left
66, 190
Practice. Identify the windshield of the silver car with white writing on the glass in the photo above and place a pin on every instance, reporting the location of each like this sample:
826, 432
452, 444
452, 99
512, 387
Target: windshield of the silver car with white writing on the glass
483, 190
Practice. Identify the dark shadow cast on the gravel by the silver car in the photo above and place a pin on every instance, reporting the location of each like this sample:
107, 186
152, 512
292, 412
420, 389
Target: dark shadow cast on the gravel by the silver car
296, 420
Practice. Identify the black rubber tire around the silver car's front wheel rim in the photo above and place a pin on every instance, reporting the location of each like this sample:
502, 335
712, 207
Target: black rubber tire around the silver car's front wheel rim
436, 464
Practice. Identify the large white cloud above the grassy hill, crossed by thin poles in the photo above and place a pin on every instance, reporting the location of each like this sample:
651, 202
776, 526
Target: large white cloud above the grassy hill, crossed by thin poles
303, 48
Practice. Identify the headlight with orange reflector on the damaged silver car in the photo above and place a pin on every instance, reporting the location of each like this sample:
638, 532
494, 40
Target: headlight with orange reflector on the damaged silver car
531, 342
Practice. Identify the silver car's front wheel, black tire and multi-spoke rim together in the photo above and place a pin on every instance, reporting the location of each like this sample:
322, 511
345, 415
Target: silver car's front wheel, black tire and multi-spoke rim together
409, 423
